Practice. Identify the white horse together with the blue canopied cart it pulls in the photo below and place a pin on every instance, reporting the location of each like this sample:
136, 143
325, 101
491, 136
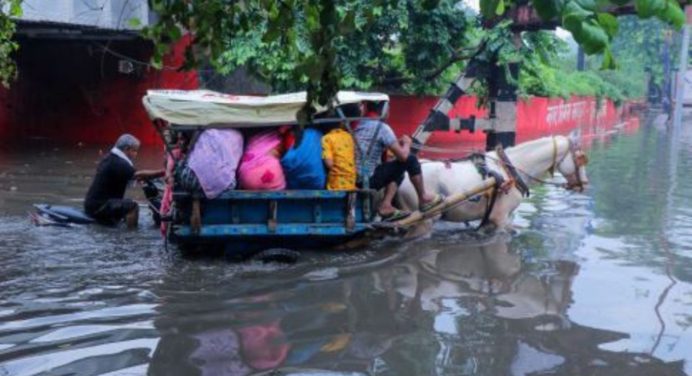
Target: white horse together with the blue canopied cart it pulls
244, 222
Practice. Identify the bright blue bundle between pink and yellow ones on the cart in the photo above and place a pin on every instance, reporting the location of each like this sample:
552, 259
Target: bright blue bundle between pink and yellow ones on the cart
302, 164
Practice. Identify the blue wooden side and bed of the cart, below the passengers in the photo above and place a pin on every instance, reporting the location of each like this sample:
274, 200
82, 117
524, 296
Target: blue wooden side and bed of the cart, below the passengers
248, 221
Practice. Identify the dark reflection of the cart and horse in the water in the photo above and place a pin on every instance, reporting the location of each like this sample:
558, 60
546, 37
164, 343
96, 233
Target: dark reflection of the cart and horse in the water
476, 308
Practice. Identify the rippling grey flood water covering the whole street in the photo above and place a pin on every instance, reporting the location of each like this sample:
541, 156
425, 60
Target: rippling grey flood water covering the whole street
598, 283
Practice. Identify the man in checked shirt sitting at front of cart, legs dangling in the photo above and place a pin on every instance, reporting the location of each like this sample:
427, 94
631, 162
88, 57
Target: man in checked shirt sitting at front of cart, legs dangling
374, 137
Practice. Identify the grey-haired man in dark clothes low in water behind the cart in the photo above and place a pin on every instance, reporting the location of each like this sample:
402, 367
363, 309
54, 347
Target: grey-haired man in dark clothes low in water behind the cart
105, 200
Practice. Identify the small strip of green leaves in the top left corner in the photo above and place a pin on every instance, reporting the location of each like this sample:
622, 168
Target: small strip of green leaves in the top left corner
8, 69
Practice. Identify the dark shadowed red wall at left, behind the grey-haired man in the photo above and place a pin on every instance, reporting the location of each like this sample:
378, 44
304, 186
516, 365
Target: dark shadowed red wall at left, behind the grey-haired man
72, 92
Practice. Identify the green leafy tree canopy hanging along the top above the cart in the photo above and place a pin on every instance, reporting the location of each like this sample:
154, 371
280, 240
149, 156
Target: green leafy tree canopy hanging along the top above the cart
312, 43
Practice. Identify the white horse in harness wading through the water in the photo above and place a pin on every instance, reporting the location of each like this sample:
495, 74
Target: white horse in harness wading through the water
531, 160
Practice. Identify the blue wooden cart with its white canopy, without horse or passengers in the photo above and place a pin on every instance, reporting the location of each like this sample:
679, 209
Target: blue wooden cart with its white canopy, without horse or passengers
244, 222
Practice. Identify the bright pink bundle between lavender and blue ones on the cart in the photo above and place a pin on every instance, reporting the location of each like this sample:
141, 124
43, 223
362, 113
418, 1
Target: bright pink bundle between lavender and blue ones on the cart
259, 168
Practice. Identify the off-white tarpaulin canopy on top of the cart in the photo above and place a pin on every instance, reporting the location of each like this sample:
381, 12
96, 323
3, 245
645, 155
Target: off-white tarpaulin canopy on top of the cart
204, 107
